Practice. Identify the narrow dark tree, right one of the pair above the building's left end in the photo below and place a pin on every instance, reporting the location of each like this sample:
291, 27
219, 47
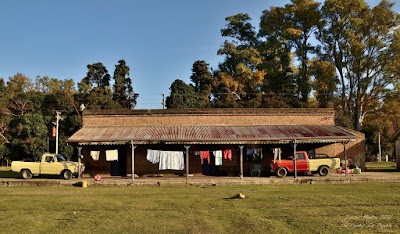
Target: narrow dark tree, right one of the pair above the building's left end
123, 91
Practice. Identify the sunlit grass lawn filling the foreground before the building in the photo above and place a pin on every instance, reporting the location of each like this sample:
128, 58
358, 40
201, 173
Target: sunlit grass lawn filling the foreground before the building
306, 208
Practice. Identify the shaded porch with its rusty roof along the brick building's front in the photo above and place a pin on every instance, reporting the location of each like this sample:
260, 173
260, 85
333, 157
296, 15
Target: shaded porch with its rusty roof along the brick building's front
252, 148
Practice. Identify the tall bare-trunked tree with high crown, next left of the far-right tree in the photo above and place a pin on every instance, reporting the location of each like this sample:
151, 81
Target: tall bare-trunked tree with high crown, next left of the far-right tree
293, 25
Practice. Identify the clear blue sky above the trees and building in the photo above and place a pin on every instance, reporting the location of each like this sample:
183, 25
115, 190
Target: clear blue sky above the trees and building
159, 39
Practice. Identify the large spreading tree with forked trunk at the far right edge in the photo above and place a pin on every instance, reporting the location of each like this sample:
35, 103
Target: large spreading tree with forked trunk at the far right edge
362, 44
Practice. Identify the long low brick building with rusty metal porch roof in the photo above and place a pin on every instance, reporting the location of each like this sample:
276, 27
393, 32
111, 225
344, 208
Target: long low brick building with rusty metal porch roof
110, 139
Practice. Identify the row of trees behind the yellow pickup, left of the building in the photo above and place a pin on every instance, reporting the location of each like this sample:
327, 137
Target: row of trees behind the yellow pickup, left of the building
28, 108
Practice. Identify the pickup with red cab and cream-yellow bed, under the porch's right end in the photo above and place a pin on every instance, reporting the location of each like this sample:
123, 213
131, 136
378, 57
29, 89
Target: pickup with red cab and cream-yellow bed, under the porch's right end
320, 165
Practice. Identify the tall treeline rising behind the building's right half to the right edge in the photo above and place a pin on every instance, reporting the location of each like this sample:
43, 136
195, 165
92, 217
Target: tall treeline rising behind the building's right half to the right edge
340, 53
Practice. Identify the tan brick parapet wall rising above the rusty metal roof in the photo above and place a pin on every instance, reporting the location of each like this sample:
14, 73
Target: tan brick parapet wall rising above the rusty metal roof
210, 118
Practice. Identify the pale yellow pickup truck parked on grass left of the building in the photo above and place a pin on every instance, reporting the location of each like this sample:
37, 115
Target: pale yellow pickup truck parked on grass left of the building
50, 164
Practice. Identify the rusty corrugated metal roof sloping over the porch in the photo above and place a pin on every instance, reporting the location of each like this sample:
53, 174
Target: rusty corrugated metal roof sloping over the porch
212, 134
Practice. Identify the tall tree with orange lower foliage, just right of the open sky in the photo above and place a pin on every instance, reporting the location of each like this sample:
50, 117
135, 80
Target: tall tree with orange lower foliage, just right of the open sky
240, 78
